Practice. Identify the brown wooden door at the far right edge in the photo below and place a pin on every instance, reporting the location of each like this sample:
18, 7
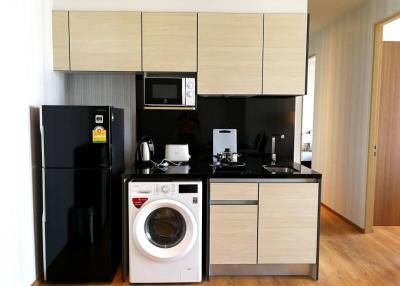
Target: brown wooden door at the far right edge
387, 191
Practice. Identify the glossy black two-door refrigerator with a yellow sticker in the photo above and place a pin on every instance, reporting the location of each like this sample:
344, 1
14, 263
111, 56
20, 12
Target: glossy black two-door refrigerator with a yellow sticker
82, 161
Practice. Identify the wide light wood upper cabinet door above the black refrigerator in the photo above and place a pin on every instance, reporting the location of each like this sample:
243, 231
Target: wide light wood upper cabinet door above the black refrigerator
105, 41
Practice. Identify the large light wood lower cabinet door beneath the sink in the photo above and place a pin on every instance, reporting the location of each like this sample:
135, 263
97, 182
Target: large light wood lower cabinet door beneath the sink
288, 223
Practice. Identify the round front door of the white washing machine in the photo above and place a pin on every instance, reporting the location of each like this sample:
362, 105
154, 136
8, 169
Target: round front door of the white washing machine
165, 230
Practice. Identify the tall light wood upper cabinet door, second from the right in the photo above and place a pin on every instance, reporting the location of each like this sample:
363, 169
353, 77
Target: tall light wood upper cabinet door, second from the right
230, 54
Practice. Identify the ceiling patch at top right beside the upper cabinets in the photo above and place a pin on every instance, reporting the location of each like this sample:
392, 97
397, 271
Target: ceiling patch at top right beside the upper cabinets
325, 12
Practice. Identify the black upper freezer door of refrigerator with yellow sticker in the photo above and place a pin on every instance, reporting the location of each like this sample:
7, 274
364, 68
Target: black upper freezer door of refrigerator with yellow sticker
76, 136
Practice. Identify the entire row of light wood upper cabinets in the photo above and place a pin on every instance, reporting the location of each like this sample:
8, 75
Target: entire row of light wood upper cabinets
233, 54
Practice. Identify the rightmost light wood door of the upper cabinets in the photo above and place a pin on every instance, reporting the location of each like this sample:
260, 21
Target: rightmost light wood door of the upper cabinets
285, 54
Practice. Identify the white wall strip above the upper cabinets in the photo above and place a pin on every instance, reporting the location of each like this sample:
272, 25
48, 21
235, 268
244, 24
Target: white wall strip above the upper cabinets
241, 6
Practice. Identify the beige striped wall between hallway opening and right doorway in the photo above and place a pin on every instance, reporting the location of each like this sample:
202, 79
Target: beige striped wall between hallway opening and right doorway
344, 52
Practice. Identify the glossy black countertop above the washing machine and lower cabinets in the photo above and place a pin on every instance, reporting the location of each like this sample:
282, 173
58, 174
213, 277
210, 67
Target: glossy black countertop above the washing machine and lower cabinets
202, 169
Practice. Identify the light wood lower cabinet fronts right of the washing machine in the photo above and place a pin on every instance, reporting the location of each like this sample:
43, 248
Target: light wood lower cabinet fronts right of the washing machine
264, 223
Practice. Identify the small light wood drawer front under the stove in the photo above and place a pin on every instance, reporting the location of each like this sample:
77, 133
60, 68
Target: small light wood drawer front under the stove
234, 192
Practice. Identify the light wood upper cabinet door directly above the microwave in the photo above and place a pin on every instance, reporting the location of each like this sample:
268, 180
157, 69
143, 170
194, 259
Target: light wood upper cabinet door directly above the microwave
169, 42
